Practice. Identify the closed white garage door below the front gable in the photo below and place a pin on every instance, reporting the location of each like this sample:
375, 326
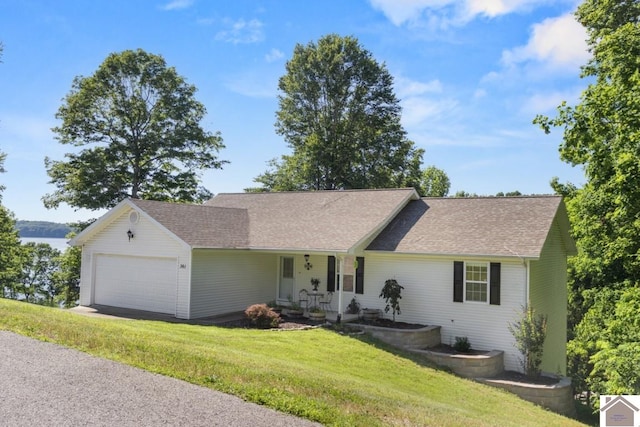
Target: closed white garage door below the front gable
136, 282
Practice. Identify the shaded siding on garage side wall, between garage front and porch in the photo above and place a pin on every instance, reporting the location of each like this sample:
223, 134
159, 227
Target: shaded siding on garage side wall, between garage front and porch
229, 281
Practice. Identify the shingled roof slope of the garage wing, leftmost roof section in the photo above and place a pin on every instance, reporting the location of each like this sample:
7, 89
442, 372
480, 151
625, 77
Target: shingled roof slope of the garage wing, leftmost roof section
201, 226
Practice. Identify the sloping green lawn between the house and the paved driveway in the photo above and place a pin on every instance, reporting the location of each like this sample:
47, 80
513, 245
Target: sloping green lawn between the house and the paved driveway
315, 374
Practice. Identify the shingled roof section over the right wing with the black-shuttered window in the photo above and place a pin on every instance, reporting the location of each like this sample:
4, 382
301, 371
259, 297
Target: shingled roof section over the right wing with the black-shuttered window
485, 226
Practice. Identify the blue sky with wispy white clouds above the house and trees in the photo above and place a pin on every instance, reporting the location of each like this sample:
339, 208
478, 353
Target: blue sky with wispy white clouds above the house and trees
471, 76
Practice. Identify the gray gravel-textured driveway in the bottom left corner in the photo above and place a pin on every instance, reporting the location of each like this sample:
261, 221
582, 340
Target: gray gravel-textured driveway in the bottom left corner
45, 384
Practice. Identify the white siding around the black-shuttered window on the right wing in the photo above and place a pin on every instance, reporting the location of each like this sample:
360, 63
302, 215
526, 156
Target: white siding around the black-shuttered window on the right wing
427, 299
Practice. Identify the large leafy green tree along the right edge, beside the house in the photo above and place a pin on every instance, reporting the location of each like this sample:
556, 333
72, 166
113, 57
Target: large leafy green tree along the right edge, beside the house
602, 134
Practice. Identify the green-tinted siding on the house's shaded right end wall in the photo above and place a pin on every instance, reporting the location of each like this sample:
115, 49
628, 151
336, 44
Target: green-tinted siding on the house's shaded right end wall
548, 296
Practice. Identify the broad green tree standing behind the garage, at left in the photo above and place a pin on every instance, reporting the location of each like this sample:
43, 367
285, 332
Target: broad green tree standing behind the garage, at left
138, 125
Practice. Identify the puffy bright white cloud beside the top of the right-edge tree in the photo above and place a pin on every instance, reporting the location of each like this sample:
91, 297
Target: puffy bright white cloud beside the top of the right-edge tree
559, 42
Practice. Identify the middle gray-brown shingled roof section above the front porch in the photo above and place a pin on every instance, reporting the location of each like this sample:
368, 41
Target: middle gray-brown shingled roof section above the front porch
315, 220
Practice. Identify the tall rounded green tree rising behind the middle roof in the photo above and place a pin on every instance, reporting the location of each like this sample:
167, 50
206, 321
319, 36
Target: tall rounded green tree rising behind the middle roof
339, 115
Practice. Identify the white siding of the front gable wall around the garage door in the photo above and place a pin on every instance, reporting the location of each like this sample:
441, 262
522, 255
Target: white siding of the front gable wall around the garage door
150, 241
